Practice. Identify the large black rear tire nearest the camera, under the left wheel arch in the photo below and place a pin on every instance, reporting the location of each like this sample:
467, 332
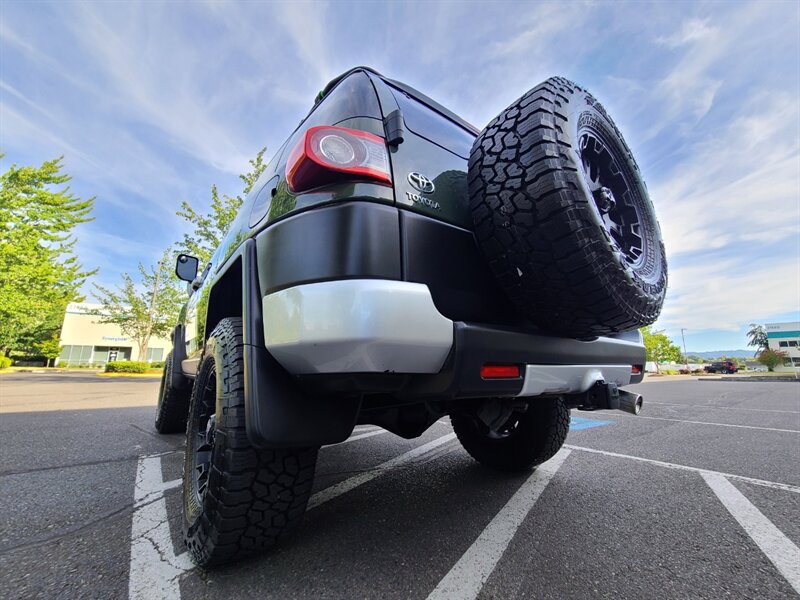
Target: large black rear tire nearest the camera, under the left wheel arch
252, 497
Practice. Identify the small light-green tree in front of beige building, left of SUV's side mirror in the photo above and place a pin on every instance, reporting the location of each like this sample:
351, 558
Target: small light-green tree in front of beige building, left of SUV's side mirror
144, 308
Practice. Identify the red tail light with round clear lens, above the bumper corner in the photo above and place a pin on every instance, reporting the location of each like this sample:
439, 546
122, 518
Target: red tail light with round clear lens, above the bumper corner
328, 154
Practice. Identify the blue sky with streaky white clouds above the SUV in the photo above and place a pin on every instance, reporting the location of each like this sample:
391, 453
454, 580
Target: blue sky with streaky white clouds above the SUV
151, 103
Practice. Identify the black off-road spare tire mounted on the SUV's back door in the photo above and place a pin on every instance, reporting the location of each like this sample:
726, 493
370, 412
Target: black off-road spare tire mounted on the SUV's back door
555, 253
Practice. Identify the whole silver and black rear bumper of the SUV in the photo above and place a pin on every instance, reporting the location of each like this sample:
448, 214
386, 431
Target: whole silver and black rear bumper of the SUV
322, 331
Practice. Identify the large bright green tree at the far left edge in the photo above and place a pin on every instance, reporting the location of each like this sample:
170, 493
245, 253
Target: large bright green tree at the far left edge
39, 272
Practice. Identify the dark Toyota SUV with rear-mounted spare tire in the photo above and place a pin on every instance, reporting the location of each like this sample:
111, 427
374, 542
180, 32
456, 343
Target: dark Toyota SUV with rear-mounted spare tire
393, 265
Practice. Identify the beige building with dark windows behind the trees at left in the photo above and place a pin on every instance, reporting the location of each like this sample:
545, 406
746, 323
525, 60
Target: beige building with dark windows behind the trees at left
85, 341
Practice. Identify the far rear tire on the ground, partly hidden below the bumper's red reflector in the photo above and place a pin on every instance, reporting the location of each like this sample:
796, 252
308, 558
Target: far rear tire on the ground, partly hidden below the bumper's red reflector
537, 435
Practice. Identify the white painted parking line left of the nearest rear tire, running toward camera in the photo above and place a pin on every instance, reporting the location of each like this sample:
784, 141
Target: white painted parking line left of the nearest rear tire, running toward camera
155, 569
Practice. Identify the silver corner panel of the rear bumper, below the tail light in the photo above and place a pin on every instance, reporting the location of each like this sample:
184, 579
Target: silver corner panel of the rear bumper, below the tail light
356, 326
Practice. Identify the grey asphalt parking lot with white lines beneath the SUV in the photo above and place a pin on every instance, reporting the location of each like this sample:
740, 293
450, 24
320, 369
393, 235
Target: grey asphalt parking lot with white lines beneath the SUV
699, 497
